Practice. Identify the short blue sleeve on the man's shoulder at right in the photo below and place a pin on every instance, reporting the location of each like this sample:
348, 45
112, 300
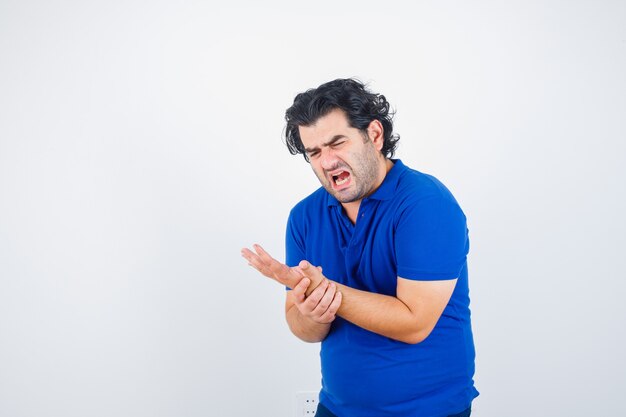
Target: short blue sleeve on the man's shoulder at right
431, 239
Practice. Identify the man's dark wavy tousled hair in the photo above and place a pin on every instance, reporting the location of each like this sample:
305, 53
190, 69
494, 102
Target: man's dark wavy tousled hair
350, 95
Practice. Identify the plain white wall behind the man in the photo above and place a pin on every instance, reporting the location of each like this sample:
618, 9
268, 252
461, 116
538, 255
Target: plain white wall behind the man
140, 149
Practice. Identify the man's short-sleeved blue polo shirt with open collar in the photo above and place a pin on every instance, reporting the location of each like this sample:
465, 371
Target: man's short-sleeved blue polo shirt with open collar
410, 227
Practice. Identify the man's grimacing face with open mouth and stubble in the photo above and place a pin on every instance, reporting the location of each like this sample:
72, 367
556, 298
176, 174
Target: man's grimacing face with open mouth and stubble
347, 162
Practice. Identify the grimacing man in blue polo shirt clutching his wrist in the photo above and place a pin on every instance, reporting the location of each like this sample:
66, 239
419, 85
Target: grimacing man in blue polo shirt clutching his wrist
376, 265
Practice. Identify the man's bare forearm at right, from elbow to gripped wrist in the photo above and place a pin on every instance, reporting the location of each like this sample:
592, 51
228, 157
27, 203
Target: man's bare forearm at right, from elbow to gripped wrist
381, 314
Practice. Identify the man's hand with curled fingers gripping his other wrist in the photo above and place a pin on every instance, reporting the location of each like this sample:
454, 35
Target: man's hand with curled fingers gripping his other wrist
321, 305
